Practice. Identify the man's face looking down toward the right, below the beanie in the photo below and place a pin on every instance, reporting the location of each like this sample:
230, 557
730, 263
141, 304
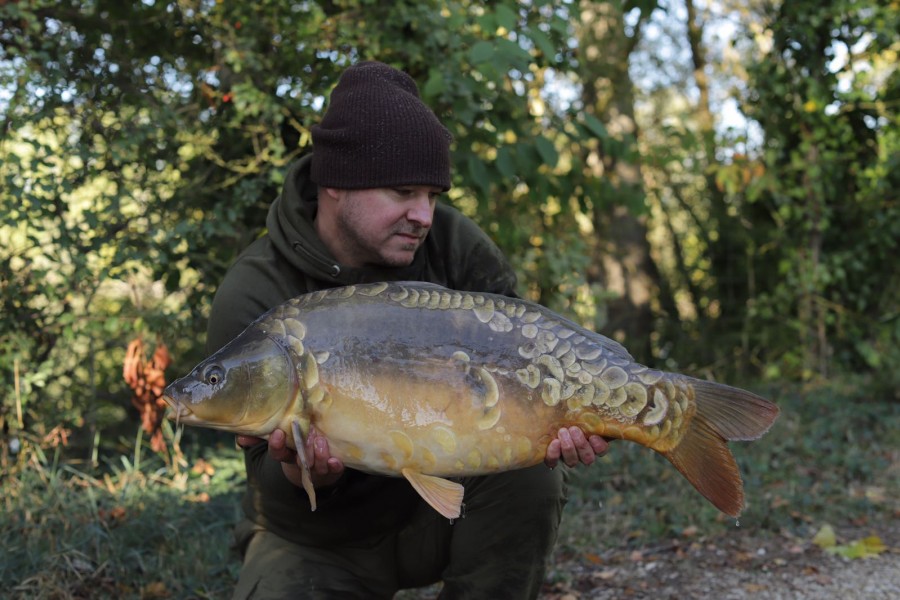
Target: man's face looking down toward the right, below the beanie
383, 226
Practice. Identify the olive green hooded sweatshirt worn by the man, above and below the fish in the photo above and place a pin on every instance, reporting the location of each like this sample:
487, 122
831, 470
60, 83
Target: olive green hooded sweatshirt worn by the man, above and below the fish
290, 260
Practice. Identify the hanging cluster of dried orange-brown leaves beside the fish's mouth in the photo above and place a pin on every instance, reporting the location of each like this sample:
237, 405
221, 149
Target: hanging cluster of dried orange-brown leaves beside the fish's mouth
147, 379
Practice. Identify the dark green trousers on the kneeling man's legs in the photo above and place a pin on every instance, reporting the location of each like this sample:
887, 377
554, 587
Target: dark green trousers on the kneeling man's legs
498, 549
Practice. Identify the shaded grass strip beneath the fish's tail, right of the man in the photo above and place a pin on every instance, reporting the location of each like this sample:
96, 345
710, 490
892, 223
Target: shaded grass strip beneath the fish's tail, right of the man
832, 457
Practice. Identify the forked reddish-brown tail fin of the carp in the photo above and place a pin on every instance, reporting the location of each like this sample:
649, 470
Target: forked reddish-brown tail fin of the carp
723, 413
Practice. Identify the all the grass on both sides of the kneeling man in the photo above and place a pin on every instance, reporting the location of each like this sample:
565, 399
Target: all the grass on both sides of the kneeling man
141, 528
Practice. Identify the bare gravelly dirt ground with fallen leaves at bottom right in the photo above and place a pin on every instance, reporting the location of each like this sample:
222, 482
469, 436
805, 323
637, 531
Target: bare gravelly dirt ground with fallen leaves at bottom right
735, 567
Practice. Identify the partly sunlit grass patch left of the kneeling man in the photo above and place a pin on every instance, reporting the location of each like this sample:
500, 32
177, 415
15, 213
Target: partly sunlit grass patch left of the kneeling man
139, 530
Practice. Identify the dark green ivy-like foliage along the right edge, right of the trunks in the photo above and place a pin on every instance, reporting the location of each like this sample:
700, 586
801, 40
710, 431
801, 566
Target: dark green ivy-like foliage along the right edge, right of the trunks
827, 204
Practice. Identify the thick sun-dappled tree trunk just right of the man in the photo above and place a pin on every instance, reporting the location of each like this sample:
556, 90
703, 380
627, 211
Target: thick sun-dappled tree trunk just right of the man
624, 265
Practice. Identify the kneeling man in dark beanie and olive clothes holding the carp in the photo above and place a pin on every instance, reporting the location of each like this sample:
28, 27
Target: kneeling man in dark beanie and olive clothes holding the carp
363, 208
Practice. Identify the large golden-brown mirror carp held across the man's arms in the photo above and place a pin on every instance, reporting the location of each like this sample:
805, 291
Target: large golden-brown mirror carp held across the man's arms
415, 380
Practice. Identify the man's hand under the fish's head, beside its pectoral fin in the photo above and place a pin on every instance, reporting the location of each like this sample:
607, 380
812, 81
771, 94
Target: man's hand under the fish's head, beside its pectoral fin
324, 469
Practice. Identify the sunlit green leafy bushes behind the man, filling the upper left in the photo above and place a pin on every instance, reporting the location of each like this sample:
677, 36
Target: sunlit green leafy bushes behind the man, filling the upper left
145, 140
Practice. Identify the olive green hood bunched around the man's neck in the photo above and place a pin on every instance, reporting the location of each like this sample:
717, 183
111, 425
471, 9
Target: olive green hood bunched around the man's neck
291, 225
